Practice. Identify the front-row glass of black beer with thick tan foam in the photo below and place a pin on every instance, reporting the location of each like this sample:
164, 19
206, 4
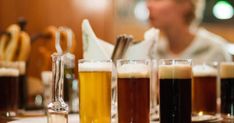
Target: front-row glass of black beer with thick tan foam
175, 78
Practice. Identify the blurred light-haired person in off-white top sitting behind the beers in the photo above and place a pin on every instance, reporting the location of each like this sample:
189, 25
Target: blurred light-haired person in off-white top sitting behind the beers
182, 38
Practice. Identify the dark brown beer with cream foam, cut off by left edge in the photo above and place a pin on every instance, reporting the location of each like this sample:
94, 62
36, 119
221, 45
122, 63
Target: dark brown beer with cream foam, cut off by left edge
8, 90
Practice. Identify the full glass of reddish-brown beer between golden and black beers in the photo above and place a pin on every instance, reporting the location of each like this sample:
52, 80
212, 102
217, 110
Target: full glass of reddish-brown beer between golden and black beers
133, 88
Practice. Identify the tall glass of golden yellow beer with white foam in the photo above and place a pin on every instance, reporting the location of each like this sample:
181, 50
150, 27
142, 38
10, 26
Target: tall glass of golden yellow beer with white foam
95, 77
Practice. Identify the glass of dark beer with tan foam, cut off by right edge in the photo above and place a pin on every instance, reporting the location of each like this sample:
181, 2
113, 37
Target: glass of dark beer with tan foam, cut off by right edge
227, 89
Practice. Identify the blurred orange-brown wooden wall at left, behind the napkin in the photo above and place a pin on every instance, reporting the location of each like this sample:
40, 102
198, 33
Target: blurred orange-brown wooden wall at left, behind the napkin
43, 13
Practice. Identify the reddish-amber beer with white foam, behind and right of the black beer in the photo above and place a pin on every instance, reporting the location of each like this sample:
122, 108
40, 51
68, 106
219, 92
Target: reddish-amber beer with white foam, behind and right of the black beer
204, 89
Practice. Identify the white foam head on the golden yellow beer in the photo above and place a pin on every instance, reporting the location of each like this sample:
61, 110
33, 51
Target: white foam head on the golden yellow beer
95, 66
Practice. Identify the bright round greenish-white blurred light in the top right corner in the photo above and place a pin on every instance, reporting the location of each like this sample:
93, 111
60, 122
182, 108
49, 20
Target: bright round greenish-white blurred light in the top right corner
223, 10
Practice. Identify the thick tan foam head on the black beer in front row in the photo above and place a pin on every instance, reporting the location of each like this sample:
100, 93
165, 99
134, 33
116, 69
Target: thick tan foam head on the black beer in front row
175, 71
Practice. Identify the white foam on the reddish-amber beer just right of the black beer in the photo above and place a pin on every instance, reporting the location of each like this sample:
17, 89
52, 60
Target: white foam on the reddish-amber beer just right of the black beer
204, 70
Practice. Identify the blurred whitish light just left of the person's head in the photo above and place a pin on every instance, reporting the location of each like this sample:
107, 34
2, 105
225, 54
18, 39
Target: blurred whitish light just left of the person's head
141, 12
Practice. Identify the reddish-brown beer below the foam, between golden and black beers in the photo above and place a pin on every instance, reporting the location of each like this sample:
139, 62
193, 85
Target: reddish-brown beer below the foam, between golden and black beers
133, 100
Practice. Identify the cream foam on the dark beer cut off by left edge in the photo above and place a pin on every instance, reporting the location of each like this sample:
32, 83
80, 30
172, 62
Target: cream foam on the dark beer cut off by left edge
9, 72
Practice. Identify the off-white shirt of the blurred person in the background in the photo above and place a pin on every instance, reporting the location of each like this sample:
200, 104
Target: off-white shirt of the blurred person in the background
206, 47
